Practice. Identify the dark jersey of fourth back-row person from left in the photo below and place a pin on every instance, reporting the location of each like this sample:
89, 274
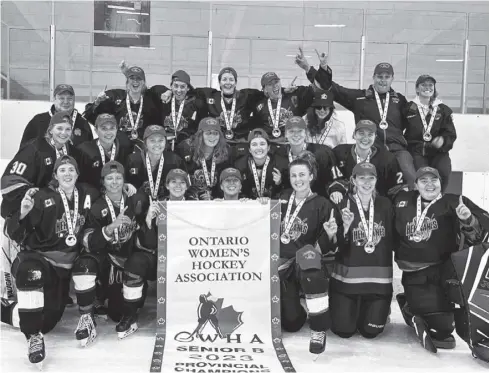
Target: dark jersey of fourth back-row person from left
246, 101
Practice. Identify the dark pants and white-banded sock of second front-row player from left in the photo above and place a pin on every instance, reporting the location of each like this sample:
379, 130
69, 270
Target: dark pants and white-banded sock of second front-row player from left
97, 276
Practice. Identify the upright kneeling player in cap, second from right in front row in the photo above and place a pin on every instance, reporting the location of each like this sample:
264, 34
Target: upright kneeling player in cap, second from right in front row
361, 282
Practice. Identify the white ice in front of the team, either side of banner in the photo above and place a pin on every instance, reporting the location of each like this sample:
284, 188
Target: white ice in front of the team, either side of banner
396, 350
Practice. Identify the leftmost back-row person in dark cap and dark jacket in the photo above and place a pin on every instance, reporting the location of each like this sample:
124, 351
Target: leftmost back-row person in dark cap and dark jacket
64, 100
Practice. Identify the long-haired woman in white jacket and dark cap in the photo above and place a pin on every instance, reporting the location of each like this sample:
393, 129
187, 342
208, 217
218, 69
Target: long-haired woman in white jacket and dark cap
322, 125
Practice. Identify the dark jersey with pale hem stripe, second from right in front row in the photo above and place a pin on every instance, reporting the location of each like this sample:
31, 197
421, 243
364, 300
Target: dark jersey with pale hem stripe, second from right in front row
357, 271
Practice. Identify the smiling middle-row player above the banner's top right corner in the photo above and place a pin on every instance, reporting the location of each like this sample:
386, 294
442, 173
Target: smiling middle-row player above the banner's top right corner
263, 171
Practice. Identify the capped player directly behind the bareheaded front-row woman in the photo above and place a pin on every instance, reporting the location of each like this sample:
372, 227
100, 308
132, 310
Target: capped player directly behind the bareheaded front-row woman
295, 133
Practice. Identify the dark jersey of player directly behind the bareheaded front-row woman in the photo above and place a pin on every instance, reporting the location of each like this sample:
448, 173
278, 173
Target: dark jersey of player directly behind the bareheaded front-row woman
326, 161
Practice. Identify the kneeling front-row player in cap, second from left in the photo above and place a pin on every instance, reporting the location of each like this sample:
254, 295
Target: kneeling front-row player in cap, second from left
109, 241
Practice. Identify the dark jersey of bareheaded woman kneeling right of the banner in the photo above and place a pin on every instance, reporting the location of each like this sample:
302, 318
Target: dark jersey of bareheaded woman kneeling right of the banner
307, 228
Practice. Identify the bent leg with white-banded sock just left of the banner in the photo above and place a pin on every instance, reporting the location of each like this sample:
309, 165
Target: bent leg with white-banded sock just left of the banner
138, 269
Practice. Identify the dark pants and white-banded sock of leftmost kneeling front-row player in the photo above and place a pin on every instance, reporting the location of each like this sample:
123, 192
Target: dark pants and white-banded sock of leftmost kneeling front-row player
41, 292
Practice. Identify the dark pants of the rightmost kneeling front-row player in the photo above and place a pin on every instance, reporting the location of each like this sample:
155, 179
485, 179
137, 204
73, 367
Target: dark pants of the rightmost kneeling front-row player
426, 296
